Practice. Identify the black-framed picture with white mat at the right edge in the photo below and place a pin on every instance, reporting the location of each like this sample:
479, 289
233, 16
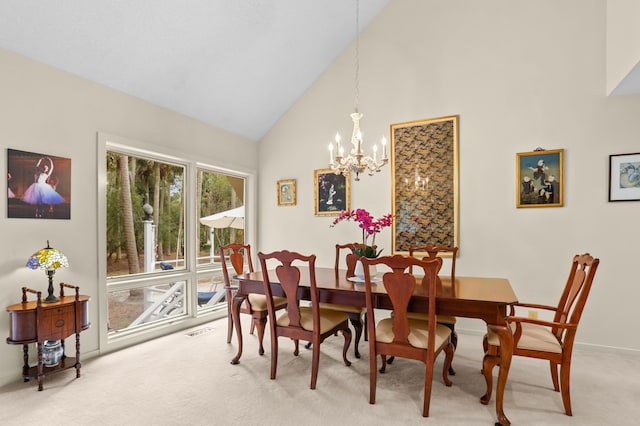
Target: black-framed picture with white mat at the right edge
624, 177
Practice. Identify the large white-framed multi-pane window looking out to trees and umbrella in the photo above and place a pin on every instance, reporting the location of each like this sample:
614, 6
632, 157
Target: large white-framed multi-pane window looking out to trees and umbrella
164, 220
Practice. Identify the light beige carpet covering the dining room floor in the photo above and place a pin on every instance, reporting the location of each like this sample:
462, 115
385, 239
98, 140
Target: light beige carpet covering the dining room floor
188, 380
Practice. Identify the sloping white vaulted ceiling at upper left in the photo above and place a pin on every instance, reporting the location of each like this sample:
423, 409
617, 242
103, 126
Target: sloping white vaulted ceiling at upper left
235, 64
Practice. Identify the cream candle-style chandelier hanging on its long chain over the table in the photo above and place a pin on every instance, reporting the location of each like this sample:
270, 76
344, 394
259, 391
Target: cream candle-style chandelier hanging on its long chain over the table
356, 162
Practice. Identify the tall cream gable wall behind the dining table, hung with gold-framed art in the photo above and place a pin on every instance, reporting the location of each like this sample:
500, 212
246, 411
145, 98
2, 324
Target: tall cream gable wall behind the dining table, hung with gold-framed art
520, 74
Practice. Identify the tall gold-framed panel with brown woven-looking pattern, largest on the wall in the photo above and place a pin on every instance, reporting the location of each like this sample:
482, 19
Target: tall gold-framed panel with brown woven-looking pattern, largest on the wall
424, 179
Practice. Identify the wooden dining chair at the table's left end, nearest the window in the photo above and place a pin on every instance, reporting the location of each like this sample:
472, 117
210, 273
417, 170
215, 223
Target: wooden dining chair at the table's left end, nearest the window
255, 304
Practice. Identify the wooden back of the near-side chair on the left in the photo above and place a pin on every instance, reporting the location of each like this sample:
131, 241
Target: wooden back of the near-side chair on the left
289, 277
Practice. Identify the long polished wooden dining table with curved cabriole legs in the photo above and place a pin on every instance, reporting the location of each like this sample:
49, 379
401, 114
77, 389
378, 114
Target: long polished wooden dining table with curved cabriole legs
471, 297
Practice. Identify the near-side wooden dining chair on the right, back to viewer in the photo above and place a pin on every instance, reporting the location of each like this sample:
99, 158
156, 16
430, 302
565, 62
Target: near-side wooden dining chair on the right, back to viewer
399, 335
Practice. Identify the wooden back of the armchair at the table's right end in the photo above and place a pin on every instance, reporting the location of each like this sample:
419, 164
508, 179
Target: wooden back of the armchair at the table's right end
576, 291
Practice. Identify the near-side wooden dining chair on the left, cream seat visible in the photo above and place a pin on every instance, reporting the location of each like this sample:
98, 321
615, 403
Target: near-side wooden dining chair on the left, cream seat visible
309, 323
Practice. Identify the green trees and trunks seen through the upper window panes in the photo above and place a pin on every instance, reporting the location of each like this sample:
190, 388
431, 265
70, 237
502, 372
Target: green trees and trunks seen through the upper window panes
161, 185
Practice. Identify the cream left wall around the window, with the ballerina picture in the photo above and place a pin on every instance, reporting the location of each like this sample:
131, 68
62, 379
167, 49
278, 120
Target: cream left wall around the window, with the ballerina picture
48, 111
